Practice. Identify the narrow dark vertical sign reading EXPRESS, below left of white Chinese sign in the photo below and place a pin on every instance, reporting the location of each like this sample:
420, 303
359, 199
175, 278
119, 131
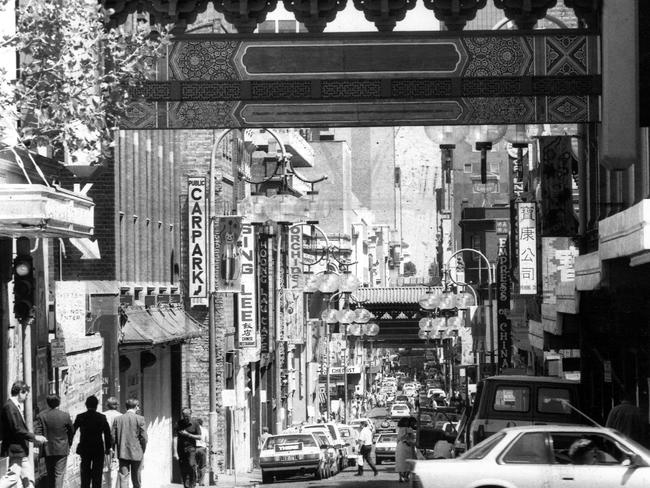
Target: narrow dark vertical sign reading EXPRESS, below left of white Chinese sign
504, 327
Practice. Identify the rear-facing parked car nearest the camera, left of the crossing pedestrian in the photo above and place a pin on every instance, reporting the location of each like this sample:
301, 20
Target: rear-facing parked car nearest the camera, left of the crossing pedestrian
291, 454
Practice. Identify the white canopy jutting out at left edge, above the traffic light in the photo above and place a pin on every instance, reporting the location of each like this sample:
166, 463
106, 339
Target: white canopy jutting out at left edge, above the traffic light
30, 210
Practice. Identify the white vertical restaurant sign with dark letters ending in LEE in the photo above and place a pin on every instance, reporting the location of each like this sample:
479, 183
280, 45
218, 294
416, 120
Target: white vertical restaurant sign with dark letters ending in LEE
246, 298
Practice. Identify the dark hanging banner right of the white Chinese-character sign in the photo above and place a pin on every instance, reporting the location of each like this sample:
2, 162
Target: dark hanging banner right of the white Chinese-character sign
557, 218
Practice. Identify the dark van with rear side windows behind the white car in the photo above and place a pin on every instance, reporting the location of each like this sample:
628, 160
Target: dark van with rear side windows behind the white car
509, 401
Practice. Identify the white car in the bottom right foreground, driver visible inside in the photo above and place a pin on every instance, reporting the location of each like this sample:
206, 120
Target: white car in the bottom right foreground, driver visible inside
542, 456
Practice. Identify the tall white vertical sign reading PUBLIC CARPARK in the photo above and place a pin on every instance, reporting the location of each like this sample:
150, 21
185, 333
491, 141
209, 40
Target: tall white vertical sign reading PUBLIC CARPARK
197, 221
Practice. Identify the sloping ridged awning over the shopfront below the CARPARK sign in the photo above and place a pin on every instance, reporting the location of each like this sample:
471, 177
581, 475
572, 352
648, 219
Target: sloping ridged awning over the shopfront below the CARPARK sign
156, 326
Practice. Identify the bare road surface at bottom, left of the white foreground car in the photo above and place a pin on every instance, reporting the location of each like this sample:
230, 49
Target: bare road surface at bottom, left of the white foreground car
346, 479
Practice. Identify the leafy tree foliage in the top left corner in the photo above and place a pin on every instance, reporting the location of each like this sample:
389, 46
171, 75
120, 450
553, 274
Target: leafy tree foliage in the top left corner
74, 75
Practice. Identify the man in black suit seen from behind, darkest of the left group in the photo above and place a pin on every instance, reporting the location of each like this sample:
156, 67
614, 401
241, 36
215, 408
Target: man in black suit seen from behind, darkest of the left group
94, 443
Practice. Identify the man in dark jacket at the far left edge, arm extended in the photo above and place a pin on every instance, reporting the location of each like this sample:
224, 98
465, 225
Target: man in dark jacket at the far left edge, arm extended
16, 438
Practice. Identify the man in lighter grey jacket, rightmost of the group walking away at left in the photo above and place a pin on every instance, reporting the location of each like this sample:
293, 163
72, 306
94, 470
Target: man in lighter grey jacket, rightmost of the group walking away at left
130, 442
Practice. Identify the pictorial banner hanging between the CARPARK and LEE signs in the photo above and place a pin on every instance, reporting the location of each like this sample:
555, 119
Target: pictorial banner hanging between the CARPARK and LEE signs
230, 254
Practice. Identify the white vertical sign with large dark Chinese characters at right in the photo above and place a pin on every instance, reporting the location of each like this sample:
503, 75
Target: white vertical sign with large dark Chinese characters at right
527, 248
